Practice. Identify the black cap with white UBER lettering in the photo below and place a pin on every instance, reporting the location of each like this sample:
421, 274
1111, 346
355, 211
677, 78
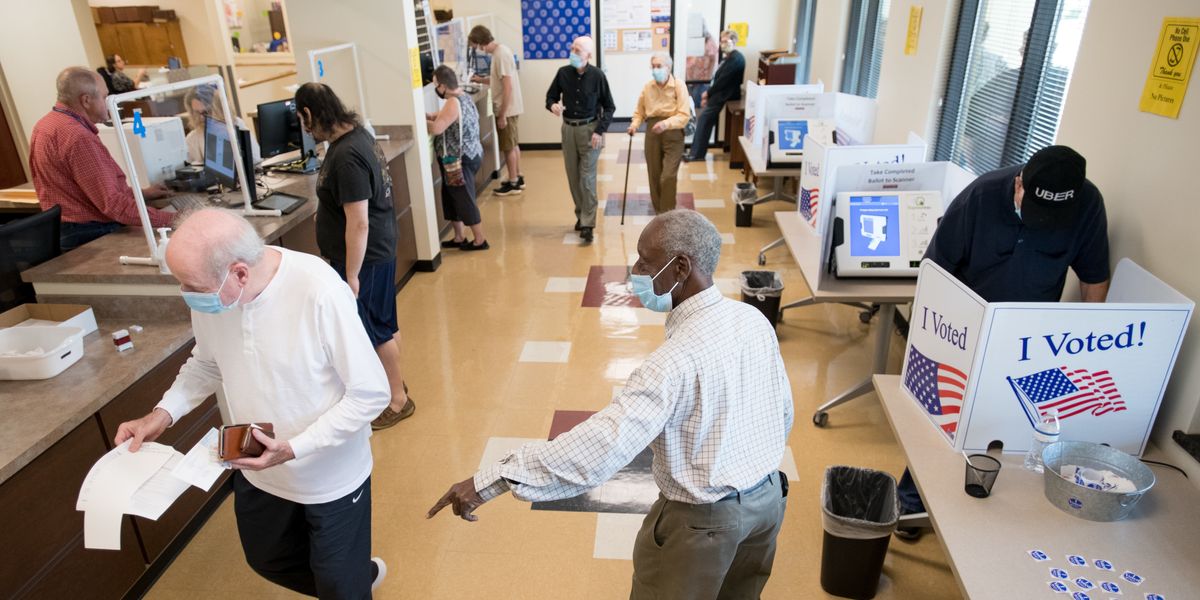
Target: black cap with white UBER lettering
1054, 181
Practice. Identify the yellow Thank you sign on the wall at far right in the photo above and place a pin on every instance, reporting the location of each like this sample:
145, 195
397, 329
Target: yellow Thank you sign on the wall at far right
1174, 58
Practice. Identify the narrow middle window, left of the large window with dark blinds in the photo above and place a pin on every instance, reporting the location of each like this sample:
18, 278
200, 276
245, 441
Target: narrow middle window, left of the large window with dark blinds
865, 47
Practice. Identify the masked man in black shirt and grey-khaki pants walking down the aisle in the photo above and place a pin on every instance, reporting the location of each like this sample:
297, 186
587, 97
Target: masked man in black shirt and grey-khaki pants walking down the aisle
580, 95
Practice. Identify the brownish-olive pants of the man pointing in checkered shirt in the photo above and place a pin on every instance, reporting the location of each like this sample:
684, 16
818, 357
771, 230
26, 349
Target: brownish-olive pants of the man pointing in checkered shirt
723, 550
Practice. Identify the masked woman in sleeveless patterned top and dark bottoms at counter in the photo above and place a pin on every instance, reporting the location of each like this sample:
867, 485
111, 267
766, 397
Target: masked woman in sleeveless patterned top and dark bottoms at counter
455, 130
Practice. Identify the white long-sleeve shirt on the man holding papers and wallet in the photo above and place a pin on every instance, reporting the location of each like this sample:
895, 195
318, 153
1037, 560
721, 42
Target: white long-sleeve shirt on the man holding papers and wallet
299, 358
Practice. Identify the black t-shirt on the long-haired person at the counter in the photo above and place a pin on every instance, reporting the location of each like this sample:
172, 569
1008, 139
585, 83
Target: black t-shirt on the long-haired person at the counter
356, 171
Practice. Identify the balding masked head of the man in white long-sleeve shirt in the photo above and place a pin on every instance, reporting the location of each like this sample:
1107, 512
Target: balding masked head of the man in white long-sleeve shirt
207, 244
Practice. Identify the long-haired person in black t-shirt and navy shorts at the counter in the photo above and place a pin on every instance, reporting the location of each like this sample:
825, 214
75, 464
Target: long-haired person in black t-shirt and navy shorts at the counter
357, 229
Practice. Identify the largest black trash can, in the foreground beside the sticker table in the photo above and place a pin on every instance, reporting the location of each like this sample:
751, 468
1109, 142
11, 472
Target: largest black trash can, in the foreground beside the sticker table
860, 512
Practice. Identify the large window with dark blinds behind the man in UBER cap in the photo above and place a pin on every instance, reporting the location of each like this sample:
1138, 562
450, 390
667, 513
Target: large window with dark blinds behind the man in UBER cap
1007, 81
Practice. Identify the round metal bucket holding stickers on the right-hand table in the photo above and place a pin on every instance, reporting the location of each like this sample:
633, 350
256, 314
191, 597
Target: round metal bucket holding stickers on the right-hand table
1088, 503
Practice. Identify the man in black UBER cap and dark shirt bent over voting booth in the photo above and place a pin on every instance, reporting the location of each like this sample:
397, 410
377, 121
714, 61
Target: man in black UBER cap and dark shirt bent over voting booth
1011, 237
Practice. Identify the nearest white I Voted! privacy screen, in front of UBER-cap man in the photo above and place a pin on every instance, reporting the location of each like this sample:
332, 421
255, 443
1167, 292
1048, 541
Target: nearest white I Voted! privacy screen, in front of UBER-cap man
988, 373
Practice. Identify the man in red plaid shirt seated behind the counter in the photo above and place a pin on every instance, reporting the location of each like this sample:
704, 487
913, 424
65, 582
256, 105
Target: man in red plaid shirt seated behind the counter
73, 169
